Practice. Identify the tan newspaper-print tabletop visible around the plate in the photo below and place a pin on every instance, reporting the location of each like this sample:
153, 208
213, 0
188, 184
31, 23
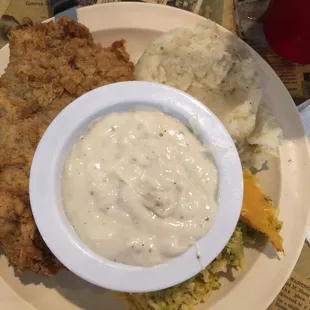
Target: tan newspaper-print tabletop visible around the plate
296, 293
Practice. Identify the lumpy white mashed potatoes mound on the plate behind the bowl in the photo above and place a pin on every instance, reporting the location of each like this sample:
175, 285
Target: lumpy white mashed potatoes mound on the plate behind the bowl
215, 69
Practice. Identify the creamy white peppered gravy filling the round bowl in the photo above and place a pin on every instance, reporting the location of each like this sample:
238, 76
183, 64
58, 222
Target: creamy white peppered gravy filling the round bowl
139, 187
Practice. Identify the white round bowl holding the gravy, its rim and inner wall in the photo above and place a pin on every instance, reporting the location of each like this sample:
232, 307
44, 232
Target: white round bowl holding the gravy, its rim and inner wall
46, 173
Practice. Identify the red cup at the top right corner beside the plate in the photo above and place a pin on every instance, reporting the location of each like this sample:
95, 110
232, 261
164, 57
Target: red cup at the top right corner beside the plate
287, 29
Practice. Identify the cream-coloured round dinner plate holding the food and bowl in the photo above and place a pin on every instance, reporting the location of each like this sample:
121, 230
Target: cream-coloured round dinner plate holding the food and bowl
287, 182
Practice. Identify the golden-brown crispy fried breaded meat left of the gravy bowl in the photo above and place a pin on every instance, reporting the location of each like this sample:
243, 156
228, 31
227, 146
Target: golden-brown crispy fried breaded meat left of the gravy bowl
50, 65
